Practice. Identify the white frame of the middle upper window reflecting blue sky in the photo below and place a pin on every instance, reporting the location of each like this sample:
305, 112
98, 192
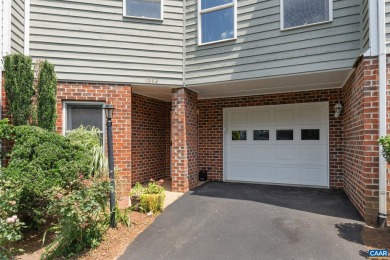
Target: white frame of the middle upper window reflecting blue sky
212, 9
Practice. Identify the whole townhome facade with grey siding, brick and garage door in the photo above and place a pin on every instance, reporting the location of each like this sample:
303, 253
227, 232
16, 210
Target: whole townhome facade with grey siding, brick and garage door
284, 92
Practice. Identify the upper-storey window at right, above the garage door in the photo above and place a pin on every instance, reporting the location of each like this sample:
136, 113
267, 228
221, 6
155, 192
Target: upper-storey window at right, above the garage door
298, 13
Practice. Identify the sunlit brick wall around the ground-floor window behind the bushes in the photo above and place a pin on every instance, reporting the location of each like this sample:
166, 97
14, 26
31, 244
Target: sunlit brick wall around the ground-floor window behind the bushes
120, 97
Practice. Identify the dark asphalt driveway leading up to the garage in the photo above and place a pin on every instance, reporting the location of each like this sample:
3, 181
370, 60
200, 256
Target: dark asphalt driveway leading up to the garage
249, 221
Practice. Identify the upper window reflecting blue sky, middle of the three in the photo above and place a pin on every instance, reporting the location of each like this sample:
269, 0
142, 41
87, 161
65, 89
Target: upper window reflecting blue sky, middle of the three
216, 20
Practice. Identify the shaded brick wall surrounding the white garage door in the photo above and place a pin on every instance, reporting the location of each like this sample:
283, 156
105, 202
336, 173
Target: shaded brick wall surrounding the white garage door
211, 128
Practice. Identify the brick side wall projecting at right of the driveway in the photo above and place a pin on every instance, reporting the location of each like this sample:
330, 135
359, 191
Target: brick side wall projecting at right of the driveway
361, 124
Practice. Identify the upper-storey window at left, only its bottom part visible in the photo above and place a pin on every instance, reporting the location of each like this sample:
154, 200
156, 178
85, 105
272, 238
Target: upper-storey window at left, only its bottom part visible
149, 9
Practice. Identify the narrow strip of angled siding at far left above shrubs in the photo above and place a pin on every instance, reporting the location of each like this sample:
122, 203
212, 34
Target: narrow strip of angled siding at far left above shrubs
17, 26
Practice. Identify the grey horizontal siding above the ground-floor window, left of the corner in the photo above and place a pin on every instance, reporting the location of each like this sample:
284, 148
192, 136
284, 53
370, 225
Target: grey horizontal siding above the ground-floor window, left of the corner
91, 41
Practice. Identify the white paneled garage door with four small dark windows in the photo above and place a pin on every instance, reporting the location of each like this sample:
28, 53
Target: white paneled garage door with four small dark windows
284, 144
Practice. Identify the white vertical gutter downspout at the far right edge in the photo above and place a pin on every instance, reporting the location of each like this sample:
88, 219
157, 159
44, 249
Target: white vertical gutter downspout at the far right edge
382, 216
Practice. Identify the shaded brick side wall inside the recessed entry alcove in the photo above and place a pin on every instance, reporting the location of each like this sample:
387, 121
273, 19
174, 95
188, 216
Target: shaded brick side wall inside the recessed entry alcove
150, 138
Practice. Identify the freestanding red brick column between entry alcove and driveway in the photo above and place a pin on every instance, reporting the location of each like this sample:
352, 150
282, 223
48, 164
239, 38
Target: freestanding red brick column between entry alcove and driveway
184, 140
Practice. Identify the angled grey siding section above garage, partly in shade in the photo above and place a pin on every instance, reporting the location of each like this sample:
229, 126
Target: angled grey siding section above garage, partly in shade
263, 50
